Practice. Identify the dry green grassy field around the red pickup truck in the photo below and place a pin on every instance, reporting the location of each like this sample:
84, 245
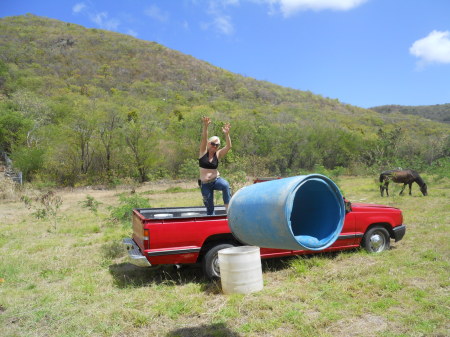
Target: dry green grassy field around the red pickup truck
70, 278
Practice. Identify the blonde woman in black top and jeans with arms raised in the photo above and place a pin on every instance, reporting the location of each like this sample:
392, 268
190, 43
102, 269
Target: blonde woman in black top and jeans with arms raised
208, 161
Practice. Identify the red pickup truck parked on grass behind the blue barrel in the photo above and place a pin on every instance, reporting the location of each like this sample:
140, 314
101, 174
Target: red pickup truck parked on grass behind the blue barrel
186, 235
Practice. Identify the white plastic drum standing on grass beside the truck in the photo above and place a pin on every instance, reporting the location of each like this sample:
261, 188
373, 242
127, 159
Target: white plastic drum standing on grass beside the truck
240, 270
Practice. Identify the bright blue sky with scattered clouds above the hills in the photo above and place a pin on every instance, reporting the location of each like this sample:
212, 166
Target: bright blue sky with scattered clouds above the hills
362, 52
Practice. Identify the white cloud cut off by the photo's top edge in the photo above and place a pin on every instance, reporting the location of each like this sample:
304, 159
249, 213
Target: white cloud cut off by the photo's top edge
290, 7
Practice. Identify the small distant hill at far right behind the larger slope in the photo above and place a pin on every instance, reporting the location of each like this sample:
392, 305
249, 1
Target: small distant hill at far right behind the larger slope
438, 112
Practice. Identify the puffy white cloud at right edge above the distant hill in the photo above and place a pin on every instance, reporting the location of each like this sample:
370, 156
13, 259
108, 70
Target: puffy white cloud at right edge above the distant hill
435, 48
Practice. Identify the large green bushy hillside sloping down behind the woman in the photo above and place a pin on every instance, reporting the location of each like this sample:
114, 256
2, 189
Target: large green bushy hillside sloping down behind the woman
85, 105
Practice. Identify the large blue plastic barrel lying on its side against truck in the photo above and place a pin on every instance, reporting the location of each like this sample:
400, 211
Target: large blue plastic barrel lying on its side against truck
302, 212
